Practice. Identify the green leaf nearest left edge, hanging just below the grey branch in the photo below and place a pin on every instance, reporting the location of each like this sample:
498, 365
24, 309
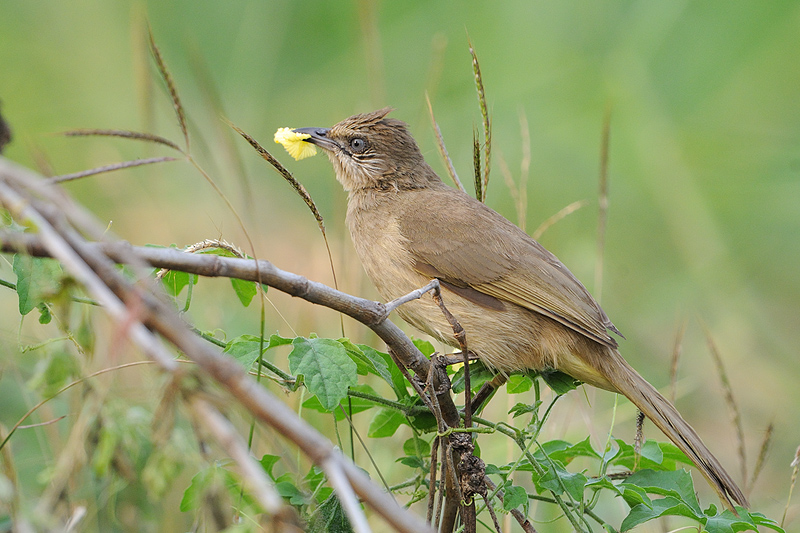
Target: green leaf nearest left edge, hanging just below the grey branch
38, 280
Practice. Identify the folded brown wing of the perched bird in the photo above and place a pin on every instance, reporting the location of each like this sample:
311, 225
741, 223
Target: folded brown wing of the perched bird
470, 247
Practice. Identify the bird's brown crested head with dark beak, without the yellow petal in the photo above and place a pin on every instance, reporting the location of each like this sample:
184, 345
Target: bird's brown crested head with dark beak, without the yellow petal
372, 151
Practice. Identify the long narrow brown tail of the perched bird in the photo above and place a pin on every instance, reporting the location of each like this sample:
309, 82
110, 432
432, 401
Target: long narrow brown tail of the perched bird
664, 415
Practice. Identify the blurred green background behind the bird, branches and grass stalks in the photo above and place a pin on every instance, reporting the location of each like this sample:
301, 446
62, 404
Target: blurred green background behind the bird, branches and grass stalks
704, 219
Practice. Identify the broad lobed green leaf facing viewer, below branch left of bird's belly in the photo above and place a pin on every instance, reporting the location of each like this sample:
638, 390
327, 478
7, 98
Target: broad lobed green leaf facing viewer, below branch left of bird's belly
327, 369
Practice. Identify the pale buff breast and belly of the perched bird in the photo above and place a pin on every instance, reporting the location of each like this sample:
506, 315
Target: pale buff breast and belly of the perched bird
510, 339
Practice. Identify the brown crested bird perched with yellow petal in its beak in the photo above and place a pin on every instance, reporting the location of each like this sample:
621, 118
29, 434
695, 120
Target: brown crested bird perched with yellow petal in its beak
520, 306
